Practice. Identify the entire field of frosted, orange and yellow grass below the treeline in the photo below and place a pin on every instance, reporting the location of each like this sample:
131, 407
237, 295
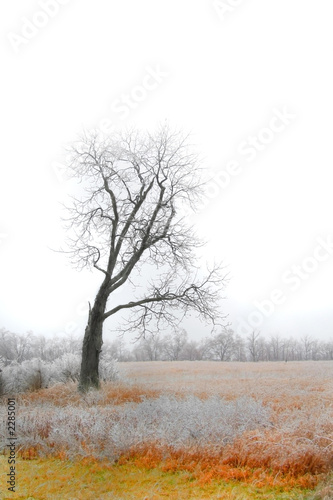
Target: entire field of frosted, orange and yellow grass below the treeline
267, 427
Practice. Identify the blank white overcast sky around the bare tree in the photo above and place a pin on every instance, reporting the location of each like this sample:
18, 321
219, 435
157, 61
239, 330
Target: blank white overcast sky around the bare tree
252, 81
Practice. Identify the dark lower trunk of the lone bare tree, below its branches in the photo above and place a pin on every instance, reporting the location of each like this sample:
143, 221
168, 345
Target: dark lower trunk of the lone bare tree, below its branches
92, 343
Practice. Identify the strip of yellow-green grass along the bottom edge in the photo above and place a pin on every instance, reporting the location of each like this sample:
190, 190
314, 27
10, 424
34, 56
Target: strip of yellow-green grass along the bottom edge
55, 479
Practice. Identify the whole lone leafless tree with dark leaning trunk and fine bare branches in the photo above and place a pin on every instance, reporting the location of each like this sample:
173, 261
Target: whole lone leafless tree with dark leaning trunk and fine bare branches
128, 218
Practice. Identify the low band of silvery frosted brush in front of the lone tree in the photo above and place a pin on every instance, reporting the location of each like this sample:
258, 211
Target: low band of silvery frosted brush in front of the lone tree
165, 421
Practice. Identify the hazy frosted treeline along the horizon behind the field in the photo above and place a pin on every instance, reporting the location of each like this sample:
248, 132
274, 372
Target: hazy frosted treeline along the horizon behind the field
224, 346
